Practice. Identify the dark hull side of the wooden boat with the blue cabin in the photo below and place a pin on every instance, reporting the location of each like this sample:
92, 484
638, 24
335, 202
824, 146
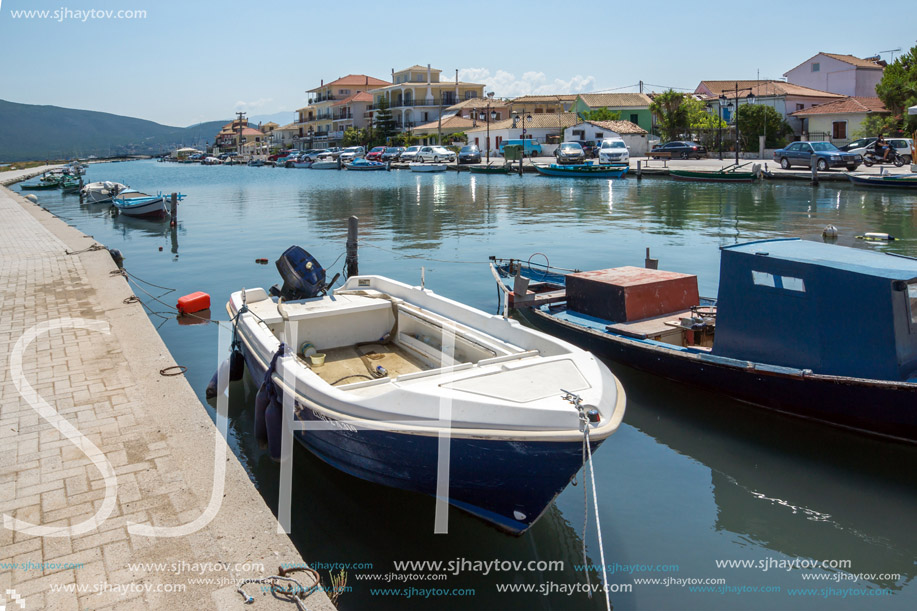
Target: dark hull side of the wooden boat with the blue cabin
841, 401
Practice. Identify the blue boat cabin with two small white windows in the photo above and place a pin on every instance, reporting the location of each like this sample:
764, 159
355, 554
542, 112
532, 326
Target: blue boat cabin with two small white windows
831, 309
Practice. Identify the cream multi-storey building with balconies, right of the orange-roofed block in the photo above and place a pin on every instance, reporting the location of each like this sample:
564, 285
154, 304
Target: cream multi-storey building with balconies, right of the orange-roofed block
417, 96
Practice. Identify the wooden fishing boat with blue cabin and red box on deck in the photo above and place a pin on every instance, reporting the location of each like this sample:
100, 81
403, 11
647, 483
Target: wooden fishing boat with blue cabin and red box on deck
814, 330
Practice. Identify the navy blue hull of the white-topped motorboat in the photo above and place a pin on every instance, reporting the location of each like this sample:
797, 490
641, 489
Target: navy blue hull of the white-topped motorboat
489, 478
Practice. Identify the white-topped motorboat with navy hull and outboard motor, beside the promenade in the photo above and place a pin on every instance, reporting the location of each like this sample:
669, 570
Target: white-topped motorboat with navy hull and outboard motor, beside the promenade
398, 367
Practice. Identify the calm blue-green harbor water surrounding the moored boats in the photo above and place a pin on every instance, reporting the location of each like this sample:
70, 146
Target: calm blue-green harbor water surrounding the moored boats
690, 479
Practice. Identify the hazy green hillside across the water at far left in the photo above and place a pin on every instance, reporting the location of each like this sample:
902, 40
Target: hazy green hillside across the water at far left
31, 132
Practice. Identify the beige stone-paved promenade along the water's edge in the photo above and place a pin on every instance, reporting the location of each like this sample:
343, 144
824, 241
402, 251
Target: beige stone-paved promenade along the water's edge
155, 438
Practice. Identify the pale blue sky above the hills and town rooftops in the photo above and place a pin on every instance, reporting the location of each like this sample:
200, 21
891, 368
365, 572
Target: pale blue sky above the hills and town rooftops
203, 60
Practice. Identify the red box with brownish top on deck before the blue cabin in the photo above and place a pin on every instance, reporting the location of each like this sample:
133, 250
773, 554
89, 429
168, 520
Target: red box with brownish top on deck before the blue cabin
625, 294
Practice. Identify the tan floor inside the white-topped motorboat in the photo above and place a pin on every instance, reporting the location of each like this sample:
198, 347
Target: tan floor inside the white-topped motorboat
345, 365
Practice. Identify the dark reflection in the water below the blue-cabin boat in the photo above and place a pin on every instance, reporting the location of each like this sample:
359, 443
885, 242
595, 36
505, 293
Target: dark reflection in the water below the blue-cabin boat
788, 485
